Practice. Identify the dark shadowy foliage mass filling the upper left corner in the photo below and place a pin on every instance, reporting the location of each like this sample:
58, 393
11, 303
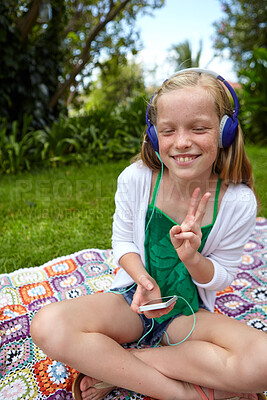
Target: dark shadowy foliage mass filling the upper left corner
29, 67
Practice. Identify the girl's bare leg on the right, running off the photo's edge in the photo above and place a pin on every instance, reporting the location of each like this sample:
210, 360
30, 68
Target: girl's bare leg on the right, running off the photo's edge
222, 353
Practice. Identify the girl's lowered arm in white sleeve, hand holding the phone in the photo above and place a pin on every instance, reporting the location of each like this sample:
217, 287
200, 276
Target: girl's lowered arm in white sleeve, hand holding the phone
125, 247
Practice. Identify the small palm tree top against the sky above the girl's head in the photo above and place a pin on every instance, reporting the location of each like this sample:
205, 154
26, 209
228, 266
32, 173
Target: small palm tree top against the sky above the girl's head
181, 55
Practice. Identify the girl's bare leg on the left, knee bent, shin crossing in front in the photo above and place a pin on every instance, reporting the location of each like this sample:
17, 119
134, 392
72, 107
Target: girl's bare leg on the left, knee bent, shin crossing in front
86, 335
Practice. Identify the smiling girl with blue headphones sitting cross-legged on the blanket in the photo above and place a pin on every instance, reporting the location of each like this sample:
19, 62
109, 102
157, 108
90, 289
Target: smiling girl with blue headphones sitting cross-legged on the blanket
183, 214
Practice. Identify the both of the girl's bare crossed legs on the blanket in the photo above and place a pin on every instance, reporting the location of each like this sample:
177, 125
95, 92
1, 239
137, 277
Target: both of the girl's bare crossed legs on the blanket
221, 353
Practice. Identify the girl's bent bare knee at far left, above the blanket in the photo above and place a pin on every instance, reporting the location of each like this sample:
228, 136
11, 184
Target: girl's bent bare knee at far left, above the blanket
48, 330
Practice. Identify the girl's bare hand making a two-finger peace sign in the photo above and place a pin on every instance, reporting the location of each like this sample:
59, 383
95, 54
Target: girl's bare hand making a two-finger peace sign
186, 238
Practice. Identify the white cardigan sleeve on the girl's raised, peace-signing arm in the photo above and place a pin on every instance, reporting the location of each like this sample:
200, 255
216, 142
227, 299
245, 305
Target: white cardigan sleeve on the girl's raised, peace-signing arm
232, 229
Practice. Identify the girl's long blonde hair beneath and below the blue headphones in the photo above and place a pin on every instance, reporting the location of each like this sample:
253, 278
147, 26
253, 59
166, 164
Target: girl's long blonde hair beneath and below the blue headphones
232, 164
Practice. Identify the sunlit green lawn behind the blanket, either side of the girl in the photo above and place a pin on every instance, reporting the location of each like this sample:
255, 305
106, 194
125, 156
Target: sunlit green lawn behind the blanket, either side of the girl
52, 213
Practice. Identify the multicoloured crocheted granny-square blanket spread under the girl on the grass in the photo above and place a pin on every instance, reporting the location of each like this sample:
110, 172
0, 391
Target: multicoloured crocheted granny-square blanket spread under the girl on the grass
27, 373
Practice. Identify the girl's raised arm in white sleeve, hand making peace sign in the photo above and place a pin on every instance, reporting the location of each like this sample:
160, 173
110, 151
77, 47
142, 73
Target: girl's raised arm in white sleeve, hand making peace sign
217, 267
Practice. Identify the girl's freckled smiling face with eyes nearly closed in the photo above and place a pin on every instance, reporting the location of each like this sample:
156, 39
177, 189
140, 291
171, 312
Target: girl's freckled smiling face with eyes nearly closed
188, 132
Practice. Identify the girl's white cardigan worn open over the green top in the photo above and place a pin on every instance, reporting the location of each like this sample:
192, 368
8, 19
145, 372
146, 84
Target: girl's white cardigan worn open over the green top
224, 246
